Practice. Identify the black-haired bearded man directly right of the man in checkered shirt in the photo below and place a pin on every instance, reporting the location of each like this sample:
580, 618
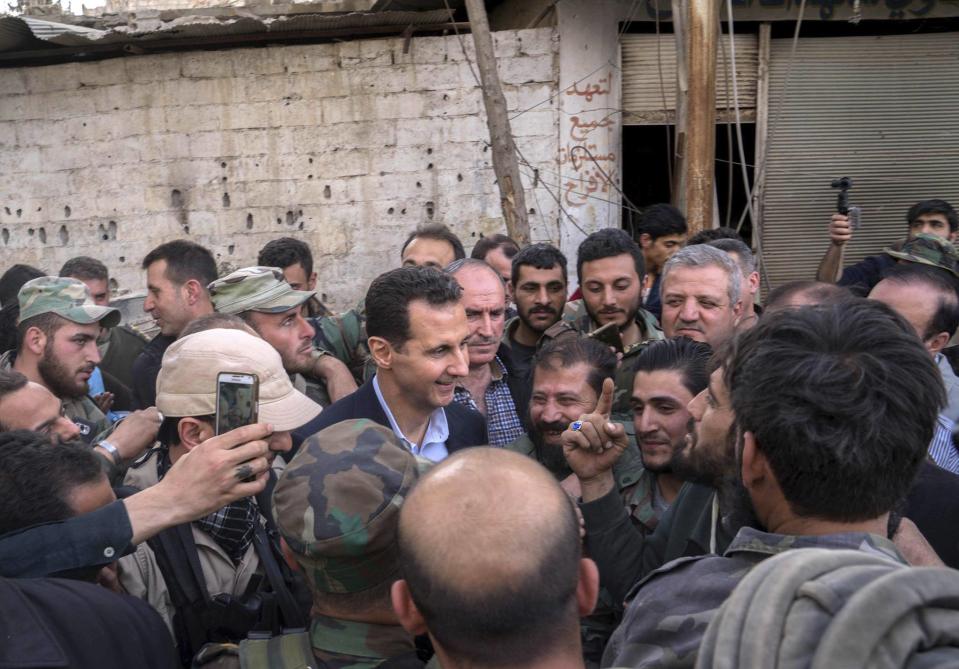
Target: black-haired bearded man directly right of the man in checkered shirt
539, 291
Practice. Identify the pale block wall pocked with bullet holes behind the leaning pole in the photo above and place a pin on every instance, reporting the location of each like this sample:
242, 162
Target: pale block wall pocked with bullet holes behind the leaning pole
348, 146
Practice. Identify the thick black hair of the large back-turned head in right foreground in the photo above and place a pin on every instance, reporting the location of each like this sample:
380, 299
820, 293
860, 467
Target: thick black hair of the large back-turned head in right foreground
843, 401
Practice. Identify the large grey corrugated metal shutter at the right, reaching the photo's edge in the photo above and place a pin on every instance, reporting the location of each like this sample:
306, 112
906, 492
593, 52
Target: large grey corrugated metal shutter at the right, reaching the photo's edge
881, 110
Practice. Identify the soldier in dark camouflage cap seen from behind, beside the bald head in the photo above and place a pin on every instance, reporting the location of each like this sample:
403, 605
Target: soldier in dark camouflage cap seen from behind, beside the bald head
337, 508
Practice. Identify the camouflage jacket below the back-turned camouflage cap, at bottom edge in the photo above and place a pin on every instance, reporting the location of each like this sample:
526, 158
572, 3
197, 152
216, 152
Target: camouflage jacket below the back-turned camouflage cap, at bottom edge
346, 644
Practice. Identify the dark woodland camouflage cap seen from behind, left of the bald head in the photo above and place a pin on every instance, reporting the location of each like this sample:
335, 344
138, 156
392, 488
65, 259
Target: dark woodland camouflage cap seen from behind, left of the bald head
337, 505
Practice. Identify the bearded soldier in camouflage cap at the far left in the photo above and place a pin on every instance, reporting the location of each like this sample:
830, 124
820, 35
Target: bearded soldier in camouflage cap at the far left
59, 326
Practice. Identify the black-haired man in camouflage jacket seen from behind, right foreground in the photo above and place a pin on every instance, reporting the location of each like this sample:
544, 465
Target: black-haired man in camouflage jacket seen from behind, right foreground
825, 473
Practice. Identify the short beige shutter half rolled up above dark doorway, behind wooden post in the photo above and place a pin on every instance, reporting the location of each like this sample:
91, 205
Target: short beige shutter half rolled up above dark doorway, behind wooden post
643, 96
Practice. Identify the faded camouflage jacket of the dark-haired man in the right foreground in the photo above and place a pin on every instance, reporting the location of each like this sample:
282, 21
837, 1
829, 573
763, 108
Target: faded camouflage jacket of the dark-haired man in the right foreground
667, 618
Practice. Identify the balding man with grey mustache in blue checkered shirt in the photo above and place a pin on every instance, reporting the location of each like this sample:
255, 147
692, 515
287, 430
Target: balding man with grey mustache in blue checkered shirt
487, 388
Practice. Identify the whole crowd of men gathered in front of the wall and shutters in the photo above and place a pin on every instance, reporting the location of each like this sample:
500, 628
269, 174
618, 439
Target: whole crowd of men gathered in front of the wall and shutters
473, 467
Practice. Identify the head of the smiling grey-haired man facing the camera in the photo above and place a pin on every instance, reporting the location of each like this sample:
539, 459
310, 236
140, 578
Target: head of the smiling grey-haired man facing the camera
702, 295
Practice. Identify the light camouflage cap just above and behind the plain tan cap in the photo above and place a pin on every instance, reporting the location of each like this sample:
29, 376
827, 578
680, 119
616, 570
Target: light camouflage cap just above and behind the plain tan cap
256, 289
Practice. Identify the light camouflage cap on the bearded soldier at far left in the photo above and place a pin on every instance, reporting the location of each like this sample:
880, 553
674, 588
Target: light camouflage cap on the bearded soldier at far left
65, 297
